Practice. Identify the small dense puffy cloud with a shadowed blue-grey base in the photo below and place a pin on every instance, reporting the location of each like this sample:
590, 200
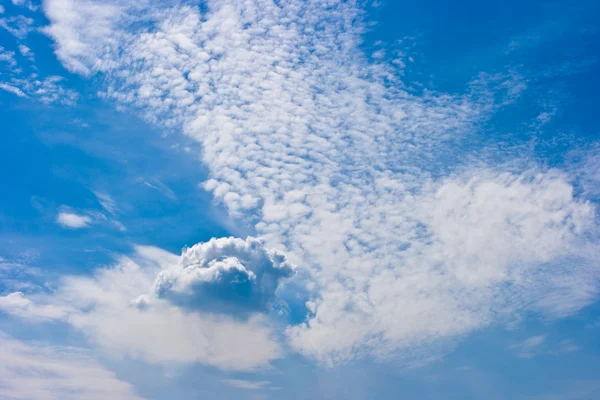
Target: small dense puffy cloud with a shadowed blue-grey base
227, 275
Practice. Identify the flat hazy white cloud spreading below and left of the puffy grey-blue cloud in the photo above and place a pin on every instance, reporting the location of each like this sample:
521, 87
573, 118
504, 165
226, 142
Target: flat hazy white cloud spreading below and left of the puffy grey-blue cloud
100, 306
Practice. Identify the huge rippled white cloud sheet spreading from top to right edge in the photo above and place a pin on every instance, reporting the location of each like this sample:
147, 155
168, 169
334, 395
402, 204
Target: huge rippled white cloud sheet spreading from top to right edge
356, 178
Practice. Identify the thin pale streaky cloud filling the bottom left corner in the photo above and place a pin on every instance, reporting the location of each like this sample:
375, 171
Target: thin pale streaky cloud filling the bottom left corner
39, 371
